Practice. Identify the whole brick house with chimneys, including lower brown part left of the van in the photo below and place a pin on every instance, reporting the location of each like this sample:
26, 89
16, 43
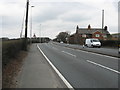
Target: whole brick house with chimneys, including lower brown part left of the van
83, 33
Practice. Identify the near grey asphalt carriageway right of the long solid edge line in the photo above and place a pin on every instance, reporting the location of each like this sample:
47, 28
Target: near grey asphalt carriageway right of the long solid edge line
83, 69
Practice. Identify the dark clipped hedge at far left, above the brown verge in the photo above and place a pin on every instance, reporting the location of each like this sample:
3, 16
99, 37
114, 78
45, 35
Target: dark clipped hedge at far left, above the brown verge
10, 48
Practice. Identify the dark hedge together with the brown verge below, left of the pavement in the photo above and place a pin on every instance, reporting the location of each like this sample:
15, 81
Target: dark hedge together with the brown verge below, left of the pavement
12, 58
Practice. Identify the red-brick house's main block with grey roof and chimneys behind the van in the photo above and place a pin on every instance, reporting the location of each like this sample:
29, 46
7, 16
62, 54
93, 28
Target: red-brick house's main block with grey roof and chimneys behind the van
89, 32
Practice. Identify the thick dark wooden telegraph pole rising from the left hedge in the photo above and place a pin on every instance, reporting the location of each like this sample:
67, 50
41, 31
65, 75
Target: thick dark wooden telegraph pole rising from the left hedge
26, 24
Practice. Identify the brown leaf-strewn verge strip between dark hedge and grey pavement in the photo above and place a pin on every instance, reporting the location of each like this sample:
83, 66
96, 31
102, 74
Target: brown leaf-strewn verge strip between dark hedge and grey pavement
12, 69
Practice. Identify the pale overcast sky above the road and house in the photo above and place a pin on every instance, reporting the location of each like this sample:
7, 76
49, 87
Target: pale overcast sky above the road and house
49, 17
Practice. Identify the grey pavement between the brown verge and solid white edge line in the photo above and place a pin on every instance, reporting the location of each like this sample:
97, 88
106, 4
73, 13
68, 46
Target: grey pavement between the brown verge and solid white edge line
37, 73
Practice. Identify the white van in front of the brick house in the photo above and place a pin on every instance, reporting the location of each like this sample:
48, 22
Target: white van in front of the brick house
92, 42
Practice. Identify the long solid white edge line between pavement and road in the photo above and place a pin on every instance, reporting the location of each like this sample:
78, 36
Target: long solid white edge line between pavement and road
57, 71
